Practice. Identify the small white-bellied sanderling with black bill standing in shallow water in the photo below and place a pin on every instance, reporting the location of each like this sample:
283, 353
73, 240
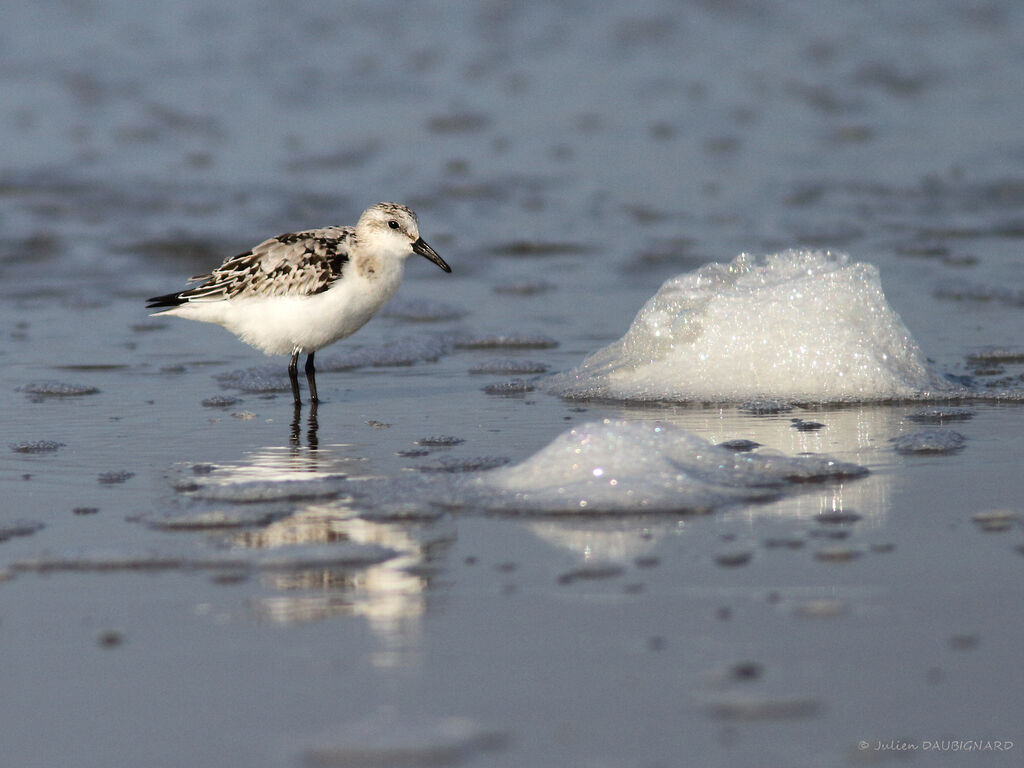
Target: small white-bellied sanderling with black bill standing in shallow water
300, 292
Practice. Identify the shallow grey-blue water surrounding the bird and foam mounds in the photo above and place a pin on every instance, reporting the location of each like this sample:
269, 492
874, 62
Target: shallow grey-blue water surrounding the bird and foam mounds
195, 575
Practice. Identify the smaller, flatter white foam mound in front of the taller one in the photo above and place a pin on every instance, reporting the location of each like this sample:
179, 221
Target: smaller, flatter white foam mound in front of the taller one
622, 466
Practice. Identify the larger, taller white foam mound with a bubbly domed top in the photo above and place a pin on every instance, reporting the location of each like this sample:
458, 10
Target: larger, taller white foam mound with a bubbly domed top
804, 326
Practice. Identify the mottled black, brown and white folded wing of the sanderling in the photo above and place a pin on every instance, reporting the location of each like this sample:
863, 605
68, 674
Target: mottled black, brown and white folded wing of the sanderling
290, 265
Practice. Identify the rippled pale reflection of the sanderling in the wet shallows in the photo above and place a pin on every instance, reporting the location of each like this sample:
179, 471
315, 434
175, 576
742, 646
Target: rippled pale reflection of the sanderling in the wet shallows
318, 517
